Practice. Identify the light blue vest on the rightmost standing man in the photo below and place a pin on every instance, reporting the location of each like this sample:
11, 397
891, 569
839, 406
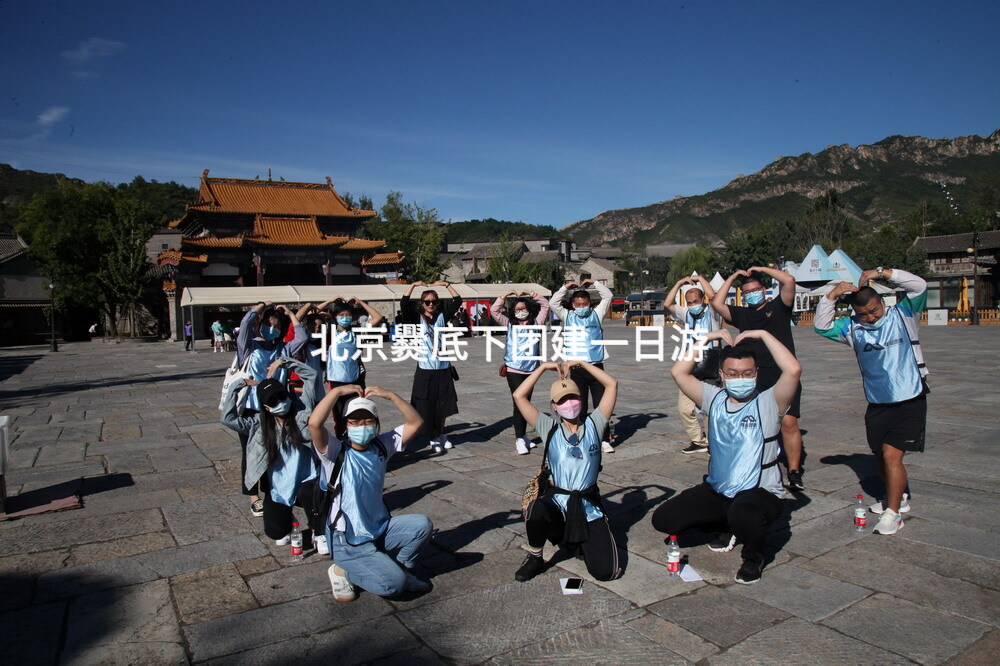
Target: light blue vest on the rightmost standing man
889, 368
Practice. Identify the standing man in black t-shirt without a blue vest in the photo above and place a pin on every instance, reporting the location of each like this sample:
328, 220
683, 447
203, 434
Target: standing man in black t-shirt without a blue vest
775, 317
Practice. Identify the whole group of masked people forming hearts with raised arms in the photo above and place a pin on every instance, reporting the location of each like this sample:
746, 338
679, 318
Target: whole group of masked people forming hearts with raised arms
323, 446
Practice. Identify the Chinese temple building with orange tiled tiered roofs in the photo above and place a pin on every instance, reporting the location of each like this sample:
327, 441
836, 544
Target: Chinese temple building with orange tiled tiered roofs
242, 232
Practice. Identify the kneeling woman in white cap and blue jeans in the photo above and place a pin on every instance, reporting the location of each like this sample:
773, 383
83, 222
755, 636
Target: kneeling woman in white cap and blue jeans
370, 548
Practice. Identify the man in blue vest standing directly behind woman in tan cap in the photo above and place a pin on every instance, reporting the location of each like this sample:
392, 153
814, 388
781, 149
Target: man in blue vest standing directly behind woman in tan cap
587, 318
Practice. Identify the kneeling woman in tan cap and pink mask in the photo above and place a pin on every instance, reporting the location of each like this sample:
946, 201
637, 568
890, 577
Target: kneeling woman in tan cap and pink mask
570, 510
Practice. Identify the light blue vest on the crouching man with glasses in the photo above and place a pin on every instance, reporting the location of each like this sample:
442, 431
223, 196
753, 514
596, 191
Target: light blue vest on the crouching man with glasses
738, 446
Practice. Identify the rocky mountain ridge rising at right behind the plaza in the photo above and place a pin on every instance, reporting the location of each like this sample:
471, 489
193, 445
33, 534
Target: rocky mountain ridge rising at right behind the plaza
877, 183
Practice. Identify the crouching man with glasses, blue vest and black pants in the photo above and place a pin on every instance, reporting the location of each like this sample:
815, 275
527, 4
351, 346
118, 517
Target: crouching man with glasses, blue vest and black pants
742, 492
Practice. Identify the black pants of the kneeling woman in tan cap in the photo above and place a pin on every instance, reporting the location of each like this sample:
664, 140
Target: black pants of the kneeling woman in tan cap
545, 522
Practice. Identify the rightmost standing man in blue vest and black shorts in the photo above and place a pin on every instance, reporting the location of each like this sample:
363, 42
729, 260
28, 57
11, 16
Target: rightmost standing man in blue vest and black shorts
893, 373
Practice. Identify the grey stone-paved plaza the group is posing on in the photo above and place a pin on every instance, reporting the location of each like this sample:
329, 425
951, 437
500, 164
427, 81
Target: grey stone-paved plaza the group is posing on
164, 563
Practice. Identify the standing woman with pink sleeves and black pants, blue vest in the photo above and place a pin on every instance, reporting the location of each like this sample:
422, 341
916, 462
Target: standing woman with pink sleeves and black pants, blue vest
522, 347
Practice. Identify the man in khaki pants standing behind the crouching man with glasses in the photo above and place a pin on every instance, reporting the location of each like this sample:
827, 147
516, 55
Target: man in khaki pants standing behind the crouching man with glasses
697, 315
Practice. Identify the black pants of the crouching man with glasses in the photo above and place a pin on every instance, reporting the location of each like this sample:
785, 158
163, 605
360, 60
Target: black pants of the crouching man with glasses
747, 515
